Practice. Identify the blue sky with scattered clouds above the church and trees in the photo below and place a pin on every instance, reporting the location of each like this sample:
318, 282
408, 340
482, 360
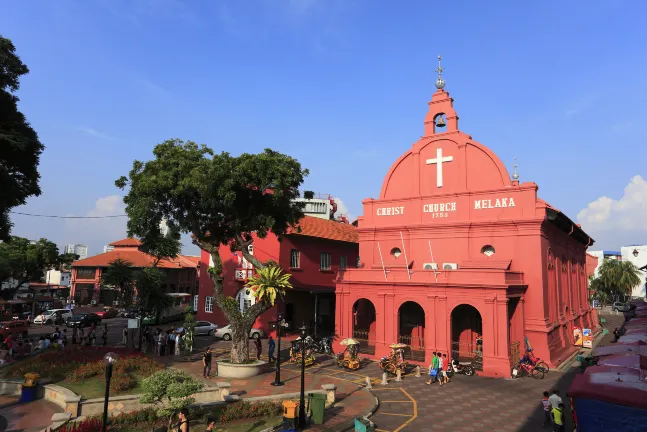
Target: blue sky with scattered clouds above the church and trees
337, 84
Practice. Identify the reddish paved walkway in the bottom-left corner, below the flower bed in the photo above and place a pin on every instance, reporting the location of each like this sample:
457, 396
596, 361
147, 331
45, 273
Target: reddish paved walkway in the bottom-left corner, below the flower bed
31, 417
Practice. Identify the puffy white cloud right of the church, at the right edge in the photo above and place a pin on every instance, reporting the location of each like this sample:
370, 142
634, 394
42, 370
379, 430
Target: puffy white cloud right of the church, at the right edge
612, 222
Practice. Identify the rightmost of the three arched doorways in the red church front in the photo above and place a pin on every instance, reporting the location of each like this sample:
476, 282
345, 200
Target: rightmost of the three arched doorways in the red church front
467, 324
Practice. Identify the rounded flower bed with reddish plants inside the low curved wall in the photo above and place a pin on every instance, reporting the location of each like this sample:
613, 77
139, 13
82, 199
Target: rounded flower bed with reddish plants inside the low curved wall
77, 365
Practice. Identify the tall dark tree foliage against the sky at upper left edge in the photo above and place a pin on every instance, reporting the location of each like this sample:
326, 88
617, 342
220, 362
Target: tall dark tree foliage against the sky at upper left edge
20, 148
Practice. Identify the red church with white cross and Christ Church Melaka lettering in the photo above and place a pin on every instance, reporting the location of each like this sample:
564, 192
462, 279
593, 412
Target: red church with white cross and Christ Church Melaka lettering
454, 248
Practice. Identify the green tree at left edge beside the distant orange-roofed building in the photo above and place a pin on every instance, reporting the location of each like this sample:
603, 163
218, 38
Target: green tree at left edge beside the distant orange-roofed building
25, 261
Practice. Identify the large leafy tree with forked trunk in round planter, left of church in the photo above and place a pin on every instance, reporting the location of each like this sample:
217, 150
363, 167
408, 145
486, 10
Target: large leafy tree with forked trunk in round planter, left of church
220, 200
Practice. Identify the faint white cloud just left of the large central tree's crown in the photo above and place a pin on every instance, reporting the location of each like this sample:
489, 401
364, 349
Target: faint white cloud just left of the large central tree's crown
98, 232
